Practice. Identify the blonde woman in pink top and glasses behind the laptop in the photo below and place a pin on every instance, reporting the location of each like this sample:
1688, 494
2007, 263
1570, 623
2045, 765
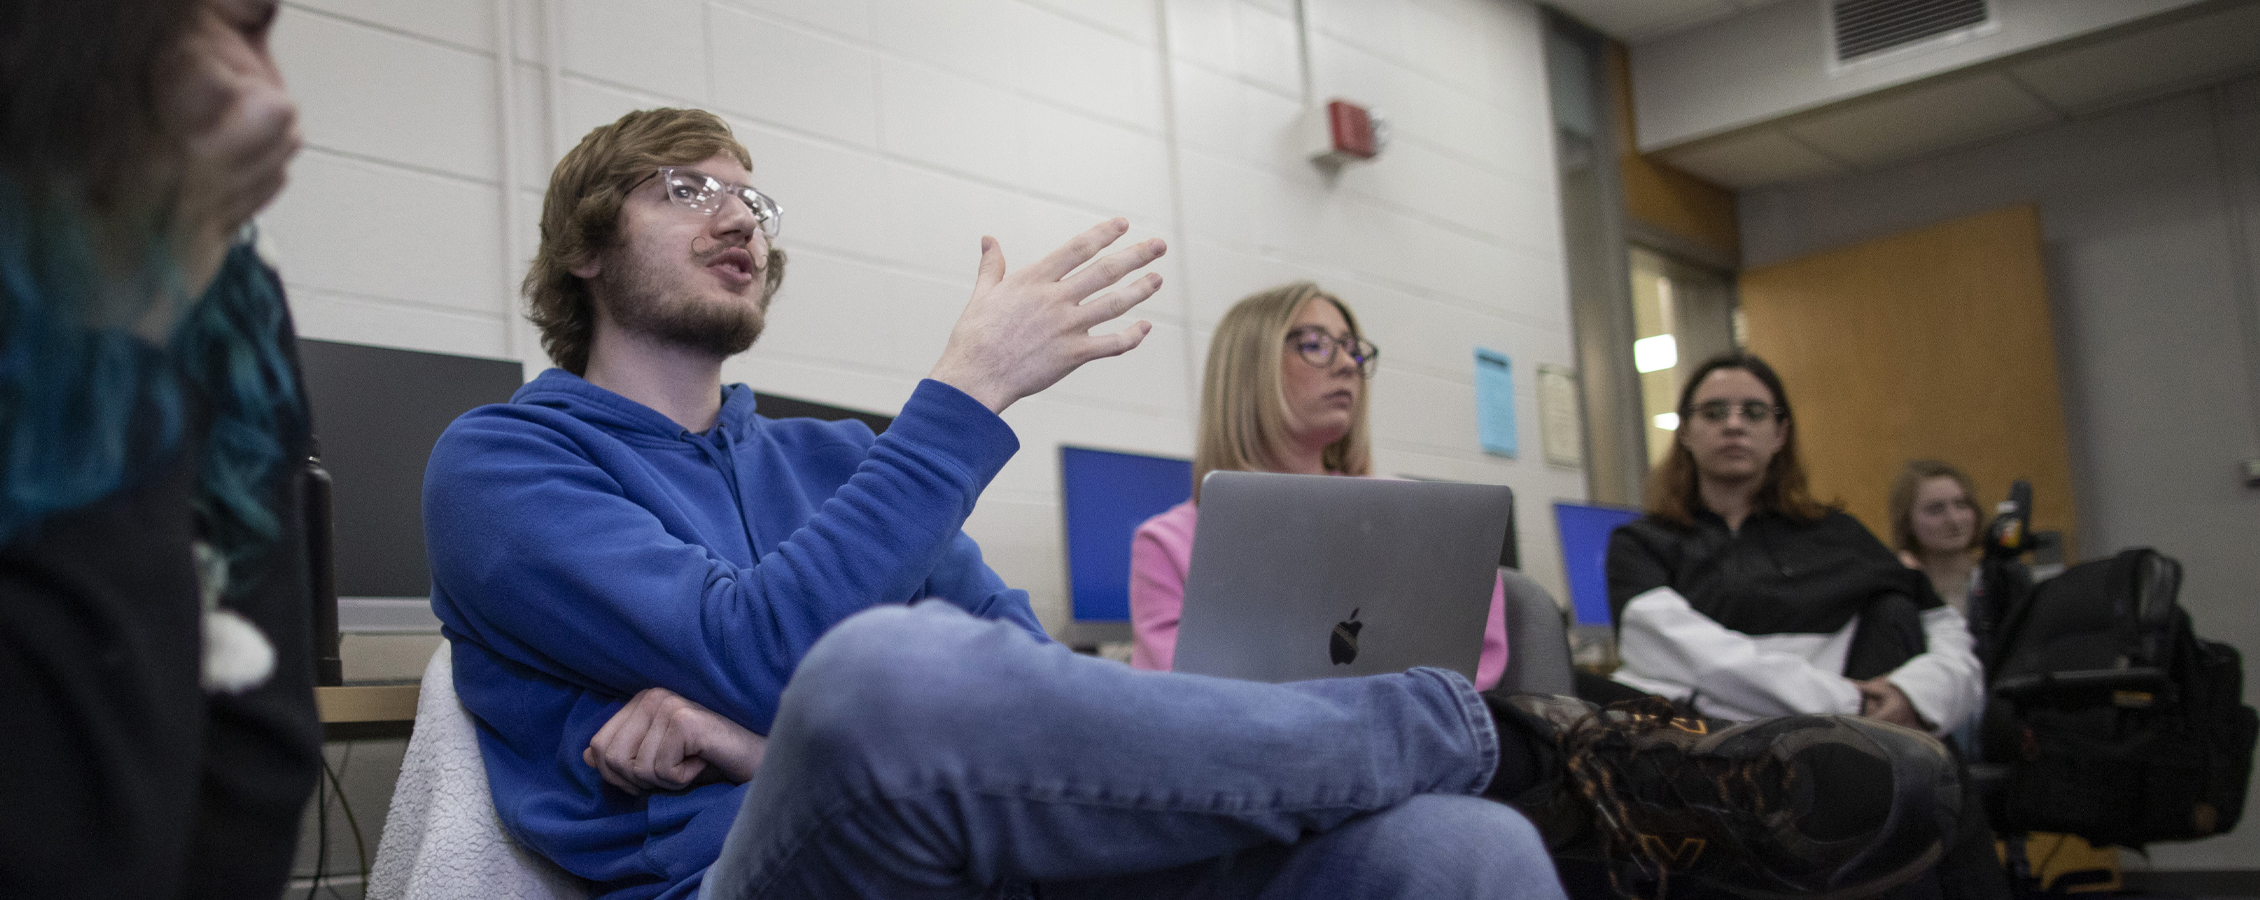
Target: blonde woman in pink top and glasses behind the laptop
1285, 392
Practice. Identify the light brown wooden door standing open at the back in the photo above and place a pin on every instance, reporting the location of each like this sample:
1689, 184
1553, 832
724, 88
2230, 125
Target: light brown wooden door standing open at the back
1931, 343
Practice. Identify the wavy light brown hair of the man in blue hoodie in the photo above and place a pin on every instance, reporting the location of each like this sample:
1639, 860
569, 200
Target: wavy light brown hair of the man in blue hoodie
582, 216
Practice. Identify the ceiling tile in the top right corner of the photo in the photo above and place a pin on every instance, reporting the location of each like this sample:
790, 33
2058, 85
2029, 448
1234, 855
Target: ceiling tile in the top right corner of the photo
2150, 62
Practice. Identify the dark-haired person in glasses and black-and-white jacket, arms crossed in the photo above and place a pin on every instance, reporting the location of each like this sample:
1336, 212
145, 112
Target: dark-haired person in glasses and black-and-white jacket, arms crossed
1746, 598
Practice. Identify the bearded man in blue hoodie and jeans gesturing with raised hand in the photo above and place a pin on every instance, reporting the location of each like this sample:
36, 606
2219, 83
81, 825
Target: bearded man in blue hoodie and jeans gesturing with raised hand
740, 657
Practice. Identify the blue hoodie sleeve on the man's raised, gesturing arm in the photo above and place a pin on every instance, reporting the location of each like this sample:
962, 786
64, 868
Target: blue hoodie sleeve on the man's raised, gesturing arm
541, 553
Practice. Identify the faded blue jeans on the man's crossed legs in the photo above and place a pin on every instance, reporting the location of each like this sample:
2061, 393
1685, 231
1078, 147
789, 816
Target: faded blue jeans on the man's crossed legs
928, 754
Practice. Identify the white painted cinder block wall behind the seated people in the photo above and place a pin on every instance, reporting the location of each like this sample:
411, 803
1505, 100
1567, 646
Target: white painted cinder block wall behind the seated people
898, 132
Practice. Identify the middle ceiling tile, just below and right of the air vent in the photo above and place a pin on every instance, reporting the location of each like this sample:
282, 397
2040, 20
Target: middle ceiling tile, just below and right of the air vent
1911, 123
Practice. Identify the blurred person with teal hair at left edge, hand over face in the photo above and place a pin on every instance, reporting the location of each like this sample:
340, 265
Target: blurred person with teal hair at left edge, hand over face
155, 623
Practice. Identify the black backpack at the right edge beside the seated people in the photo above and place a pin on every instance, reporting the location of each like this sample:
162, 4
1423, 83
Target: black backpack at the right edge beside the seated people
2110, 716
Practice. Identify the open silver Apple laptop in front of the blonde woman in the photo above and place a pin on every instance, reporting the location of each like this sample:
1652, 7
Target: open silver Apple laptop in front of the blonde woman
1321, 578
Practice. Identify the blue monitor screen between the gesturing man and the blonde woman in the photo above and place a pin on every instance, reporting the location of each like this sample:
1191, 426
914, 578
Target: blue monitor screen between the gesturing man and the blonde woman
1109, 496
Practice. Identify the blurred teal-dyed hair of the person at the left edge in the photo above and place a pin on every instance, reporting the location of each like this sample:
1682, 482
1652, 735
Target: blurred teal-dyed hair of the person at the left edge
92, 408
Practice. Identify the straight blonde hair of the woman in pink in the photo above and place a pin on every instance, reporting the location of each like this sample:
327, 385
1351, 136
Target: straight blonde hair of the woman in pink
1244, 401
